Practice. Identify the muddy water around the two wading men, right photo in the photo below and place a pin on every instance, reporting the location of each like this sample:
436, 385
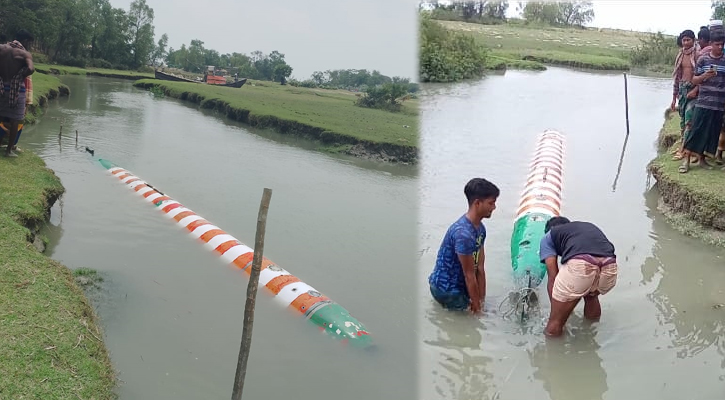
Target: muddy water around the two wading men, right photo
660, 324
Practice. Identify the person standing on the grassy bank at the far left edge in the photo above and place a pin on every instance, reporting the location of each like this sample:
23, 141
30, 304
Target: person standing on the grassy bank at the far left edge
15, 65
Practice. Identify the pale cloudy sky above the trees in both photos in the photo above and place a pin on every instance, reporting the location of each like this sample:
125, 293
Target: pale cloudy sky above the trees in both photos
372, 34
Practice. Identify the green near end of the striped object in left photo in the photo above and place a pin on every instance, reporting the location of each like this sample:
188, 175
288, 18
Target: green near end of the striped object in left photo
337, 322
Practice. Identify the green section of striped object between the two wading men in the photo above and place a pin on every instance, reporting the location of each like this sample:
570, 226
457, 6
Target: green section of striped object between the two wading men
525, 241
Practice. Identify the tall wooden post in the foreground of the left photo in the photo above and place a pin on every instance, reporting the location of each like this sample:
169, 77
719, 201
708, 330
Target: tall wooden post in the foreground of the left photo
251, 297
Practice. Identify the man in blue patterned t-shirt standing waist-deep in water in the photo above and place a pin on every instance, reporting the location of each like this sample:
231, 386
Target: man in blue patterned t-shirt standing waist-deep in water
458, 280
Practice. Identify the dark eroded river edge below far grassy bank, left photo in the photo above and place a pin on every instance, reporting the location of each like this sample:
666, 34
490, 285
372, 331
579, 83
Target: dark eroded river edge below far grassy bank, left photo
330, 141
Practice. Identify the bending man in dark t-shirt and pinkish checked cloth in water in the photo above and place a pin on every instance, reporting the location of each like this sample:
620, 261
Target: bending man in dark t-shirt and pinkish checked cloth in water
589, 268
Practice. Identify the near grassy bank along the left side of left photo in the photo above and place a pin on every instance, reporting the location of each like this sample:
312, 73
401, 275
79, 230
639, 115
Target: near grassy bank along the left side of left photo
51, 338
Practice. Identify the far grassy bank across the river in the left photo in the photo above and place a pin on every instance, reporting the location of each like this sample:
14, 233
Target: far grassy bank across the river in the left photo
328, 116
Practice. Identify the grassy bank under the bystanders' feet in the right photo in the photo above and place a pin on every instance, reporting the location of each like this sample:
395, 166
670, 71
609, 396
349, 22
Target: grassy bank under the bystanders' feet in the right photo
694, 203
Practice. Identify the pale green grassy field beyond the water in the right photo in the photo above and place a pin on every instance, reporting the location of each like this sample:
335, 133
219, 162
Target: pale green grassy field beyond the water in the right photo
607, 49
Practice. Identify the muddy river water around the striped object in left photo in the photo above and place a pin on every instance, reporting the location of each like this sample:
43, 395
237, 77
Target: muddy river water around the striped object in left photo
171, 310
